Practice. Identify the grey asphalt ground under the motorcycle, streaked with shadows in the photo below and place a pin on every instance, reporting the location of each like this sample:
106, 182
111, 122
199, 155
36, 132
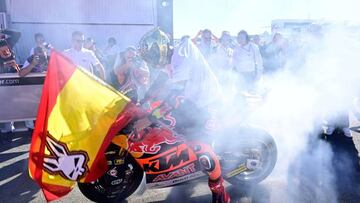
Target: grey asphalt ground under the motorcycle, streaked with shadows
303, 183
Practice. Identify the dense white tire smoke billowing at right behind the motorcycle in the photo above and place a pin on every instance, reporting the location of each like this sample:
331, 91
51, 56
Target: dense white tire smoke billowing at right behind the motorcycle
300, 95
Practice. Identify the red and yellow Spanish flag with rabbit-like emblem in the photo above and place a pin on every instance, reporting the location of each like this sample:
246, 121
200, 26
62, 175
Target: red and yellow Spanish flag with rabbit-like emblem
77, 118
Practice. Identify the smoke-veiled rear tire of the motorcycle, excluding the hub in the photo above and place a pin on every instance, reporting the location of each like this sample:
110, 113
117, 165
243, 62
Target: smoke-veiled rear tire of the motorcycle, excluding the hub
249, 138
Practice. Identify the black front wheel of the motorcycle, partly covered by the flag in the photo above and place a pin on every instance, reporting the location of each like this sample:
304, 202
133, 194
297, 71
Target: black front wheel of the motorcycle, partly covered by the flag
119, 182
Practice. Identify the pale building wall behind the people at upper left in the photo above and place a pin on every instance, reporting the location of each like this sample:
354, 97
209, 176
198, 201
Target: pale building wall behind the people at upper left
126, 20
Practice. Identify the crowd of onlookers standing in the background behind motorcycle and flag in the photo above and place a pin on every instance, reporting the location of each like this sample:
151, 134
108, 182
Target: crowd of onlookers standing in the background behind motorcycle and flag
238, 62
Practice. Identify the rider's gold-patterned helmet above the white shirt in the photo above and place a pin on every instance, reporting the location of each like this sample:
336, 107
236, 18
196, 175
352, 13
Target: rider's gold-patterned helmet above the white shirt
155, 48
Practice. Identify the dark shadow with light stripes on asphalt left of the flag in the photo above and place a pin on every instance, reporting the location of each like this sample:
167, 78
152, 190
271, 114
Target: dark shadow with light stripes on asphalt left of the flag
16, 185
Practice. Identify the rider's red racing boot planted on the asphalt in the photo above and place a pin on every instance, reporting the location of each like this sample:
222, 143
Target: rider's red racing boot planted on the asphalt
219, 194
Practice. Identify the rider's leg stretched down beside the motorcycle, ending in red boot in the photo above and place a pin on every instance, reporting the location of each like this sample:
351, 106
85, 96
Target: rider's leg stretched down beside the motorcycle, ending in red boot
192, 121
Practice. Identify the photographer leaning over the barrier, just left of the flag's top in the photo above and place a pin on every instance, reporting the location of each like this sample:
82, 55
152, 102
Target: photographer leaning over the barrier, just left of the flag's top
36, 63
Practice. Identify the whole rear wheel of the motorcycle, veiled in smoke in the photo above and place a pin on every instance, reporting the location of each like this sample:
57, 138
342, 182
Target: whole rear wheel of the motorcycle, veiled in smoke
250, 156
